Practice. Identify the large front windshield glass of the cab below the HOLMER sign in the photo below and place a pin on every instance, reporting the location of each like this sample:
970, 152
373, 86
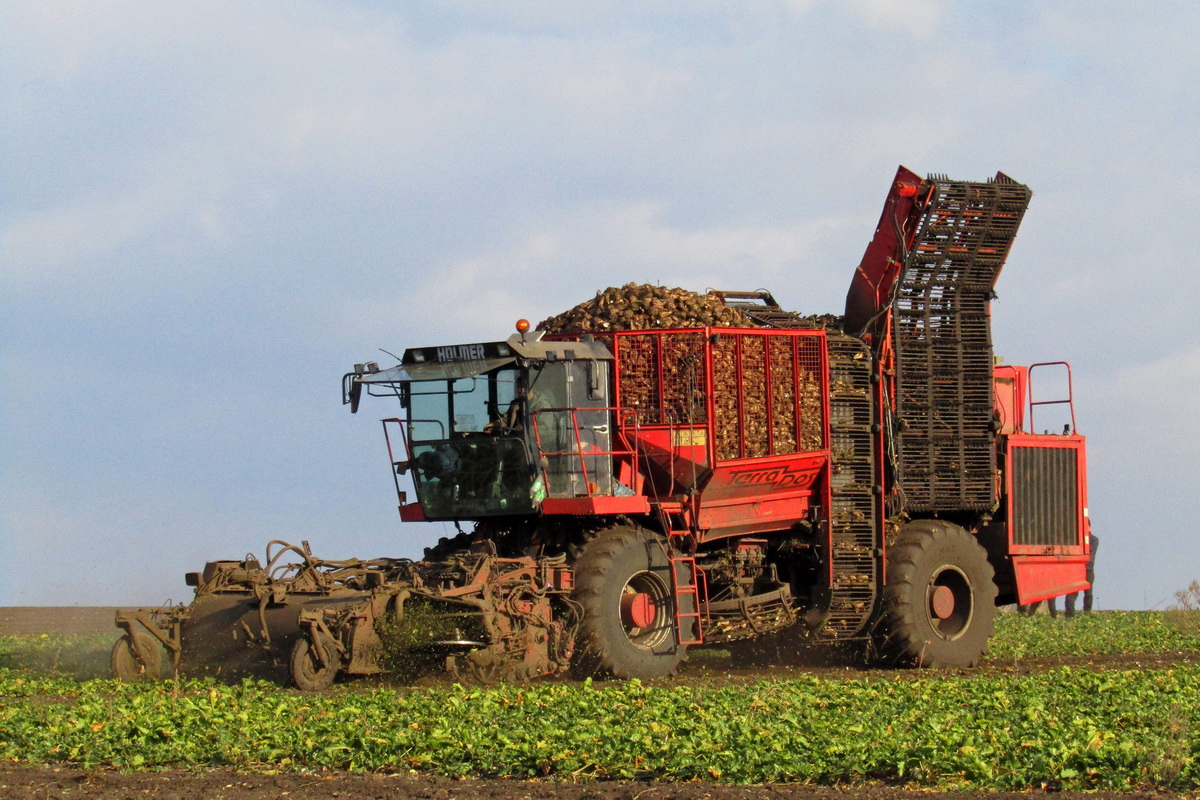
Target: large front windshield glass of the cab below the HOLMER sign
467, 450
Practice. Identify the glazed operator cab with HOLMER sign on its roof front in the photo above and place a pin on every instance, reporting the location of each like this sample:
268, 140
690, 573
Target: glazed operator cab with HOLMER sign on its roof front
494, 429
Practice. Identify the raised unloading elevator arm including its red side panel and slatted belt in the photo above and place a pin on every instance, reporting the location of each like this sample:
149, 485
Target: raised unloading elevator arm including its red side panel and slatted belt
922, 297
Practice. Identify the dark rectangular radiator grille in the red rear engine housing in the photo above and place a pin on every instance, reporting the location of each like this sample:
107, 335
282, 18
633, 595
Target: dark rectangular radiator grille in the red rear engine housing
1046, 496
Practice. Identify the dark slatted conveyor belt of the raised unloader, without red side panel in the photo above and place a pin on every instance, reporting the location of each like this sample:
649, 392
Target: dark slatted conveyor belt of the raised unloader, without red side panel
943, 338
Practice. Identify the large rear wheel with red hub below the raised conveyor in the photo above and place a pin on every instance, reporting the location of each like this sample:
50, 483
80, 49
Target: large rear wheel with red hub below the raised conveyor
940, 604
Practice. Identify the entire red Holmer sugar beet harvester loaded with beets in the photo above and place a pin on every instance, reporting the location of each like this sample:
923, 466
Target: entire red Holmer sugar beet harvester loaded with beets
657, 470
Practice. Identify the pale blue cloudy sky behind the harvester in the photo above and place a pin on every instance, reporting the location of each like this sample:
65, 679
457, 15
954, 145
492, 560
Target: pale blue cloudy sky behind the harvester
209, 212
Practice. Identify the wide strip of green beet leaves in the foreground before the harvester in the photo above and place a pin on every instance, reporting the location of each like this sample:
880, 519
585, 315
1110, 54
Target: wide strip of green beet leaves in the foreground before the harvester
1065, 729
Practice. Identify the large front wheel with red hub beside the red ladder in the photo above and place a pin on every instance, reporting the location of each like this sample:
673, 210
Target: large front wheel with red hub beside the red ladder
620, 569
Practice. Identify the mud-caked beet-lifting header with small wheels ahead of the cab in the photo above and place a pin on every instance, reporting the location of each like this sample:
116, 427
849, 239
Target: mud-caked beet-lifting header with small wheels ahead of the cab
494, 618
